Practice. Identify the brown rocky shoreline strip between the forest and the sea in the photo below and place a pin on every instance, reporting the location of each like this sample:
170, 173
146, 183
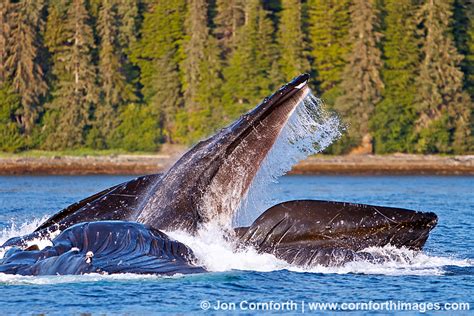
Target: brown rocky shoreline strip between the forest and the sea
396, 164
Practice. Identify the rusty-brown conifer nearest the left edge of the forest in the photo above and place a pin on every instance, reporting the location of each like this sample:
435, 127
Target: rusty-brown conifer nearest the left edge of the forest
22, 62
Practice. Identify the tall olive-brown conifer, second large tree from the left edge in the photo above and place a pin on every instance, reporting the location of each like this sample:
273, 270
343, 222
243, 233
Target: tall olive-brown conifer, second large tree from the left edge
76, 89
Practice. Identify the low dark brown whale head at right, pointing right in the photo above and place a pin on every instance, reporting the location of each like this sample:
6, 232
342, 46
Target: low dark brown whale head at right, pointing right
308, 232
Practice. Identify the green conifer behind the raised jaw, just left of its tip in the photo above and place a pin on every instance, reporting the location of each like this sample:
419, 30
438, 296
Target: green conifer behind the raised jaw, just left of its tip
248, 76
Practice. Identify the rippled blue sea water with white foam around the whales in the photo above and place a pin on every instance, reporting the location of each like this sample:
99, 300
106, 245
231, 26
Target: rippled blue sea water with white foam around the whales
246, 281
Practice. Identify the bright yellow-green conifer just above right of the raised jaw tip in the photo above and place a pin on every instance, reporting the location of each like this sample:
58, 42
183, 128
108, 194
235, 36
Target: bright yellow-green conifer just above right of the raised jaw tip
329, 24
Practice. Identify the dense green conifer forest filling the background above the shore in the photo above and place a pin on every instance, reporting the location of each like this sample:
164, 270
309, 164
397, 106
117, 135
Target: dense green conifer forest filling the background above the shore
135, 74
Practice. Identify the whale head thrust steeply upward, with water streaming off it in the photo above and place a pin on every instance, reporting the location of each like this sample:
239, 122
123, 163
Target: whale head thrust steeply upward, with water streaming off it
213, 176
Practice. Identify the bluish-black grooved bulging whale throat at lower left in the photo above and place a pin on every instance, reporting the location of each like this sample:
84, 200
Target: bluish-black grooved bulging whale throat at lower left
117, 247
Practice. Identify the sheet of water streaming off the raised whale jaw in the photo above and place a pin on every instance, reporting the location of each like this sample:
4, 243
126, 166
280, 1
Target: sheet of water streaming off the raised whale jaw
310, 129
